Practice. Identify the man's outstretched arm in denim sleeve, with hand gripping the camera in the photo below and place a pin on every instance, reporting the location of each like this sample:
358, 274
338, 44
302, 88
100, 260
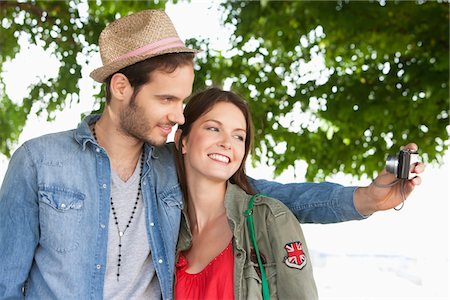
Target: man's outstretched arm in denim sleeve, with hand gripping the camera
331, 203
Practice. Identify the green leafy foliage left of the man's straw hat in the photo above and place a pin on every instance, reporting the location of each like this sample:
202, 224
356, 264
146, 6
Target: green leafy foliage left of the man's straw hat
70, 29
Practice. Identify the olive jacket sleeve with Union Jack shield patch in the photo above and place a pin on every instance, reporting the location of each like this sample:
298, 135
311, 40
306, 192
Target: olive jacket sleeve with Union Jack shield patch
294, 277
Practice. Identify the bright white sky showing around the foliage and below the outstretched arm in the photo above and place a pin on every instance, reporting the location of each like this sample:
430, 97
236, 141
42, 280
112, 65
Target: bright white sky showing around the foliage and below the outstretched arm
391, 255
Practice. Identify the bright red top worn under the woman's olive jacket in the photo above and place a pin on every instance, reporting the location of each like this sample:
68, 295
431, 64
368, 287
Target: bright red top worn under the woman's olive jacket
215, 281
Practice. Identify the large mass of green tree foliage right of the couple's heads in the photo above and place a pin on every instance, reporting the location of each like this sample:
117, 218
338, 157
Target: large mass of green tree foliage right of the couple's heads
385, 80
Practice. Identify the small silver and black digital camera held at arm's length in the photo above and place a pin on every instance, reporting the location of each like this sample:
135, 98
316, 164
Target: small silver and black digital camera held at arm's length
402, 164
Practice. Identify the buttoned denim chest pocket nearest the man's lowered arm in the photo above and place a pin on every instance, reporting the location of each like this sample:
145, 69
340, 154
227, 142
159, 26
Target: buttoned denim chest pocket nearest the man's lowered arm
60, 212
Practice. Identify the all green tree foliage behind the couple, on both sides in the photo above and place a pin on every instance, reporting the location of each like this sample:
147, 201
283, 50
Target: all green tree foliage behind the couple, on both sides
384, 79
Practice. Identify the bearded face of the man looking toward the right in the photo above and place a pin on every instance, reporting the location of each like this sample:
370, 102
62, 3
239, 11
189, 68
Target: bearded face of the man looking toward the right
158, 106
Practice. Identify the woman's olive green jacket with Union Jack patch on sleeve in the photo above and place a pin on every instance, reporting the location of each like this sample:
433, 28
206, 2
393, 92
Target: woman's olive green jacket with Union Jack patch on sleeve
277, 231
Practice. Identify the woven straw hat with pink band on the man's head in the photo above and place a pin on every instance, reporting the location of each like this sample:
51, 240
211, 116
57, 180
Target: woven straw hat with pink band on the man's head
134, 38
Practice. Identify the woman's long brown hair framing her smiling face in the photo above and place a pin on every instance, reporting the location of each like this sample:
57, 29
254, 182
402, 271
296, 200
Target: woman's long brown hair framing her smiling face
200, 104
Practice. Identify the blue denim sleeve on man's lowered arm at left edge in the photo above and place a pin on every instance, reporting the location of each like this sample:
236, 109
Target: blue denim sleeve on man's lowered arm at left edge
19, 224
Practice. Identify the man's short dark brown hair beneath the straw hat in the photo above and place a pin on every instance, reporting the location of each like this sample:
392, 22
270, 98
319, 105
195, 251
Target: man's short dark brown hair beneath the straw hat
140, 73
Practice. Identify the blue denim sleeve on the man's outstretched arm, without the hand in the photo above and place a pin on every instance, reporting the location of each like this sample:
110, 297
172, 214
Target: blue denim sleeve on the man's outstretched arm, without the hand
313, 202
